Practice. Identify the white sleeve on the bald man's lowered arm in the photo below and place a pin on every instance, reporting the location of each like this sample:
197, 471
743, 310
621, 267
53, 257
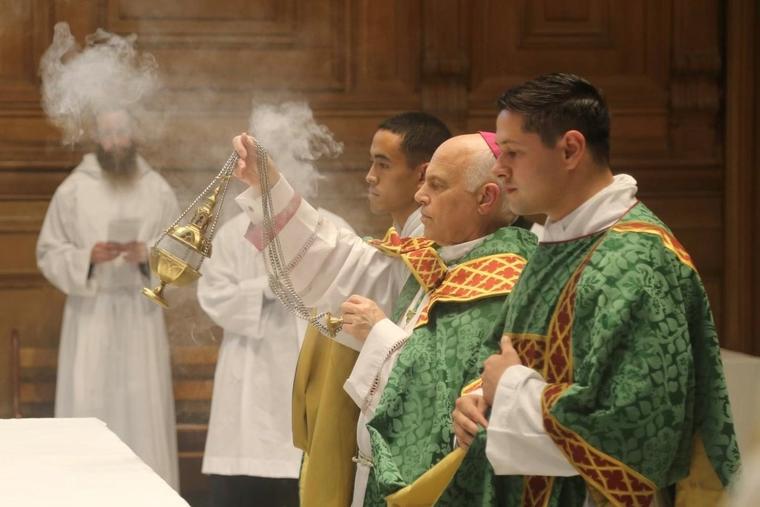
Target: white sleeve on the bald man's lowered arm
373, 356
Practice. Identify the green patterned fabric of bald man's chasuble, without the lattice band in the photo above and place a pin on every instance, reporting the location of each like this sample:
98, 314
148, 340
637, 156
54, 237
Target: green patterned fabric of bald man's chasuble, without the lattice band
411, 429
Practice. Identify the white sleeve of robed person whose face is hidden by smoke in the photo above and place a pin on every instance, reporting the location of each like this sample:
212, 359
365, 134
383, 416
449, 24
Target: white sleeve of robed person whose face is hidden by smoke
232, 303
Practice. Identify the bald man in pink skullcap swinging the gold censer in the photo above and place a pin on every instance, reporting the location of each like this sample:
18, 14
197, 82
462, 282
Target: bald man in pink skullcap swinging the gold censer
445, 321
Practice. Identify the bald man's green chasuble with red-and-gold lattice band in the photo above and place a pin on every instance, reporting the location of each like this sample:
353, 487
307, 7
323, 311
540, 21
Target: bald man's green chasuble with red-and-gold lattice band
411, 429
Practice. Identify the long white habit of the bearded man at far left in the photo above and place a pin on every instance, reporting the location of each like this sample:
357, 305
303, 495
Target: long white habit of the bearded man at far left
114, 353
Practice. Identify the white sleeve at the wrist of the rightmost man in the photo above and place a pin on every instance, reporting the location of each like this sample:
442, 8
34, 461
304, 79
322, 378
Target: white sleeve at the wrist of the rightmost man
517, 443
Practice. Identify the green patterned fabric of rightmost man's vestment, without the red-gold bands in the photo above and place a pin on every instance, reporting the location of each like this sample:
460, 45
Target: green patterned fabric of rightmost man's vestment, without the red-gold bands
647, 372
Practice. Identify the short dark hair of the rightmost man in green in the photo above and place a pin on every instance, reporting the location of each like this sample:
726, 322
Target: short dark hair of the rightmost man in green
552, 104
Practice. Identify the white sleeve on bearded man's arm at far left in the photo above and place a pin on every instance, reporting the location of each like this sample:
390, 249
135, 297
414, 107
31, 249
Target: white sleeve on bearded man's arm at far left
63, 261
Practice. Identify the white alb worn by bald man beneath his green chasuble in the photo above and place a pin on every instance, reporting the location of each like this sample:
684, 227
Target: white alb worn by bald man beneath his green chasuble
337, 265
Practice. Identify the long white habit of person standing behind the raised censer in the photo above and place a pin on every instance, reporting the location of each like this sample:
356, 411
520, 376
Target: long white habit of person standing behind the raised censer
249, 430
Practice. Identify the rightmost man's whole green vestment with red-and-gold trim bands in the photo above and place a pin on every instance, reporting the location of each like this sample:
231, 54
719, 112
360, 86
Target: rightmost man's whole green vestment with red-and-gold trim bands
619, 325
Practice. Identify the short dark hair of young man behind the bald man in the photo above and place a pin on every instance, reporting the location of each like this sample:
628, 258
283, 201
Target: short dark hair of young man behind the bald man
421, 134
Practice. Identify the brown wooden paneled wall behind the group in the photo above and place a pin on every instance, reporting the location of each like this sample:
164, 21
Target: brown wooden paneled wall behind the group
673, 72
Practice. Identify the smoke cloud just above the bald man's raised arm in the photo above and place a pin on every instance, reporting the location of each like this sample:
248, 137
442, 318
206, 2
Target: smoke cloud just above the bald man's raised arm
295, 141
